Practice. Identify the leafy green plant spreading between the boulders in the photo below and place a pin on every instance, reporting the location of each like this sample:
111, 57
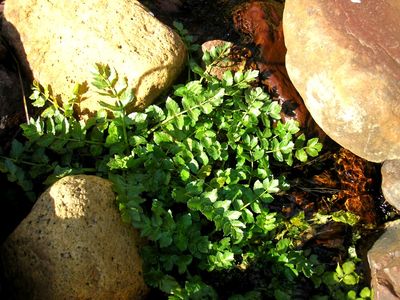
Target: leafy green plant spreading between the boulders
196, 176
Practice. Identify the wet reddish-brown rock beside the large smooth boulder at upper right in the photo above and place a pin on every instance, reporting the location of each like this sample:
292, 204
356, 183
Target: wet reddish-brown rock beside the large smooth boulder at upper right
262, 22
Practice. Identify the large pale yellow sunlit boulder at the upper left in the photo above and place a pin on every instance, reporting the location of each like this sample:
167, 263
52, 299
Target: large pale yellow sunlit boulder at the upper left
120, 33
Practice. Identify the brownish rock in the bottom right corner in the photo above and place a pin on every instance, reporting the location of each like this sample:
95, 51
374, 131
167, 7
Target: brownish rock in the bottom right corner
384, 262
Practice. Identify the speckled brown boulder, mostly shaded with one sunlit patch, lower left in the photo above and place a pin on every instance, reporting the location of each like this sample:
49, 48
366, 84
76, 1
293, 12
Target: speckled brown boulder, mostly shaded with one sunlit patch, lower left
73, 245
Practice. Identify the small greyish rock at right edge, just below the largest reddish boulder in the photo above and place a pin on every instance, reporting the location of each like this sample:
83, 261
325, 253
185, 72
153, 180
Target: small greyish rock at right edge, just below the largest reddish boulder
391, 182
